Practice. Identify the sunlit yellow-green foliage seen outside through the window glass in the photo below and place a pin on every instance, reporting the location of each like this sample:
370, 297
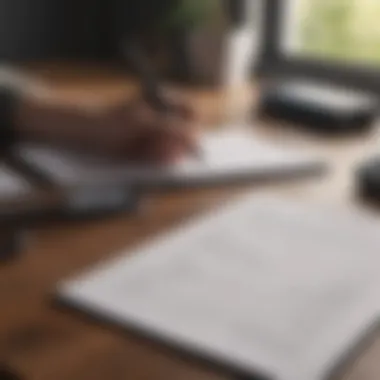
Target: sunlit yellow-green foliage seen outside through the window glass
345, 30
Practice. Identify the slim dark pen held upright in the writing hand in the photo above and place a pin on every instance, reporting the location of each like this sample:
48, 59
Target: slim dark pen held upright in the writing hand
152, 91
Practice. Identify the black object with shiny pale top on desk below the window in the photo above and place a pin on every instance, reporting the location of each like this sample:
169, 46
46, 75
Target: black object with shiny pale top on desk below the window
323, 108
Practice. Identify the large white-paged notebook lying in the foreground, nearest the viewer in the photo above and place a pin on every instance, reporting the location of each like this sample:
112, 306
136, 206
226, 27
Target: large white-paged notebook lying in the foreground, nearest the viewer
264, 287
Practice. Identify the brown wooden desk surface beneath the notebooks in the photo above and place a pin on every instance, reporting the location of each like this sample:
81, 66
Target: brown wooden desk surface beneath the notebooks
44, 343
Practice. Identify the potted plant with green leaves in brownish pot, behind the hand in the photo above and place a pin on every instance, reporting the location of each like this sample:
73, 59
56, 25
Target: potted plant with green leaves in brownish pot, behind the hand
195, 29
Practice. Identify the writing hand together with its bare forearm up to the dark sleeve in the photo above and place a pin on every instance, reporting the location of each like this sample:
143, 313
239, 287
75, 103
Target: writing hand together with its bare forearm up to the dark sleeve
131, 130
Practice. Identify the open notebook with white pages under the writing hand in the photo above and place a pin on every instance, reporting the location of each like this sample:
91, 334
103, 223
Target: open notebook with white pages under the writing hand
227, 156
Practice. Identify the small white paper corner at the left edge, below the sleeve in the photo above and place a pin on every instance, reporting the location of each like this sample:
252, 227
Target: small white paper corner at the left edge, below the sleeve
12, 184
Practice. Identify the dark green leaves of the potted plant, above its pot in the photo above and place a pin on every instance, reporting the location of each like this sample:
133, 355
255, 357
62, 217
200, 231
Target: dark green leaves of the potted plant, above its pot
190, 14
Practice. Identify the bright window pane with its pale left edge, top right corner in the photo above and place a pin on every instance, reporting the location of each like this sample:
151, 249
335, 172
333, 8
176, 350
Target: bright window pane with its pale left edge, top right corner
332, 30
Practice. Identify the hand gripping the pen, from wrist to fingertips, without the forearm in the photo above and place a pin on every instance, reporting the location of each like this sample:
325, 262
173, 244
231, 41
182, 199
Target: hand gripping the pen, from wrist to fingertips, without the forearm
140, 133
